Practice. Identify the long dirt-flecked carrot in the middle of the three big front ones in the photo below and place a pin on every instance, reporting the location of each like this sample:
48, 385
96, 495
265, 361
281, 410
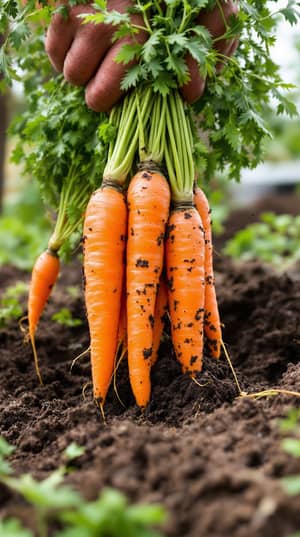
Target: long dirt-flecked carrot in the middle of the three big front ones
148, 205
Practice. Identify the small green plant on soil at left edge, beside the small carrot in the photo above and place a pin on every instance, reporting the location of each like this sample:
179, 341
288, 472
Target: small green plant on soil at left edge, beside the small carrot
10, 305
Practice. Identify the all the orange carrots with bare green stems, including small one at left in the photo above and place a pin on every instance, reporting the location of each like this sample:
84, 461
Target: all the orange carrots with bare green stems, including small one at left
147, 249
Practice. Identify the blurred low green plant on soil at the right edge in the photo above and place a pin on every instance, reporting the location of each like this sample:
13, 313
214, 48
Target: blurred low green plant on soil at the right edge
274, 240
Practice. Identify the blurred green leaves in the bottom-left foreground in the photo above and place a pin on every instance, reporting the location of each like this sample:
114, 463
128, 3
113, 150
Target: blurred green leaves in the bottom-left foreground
108, 516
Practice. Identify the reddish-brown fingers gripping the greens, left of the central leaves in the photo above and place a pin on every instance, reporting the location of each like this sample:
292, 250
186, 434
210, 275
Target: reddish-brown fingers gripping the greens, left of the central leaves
85, 54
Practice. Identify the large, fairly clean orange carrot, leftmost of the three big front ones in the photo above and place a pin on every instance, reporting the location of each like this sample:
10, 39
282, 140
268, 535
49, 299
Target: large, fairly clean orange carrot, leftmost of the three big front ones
104, 237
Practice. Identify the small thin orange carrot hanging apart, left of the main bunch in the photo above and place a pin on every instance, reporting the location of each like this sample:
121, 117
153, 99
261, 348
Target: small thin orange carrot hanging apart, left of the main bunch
43, 277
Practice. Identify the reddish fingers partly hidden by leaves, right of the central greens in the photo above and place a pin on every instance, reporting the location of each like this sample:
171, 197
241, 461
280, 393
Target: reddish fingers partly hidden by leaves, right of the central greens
214, 21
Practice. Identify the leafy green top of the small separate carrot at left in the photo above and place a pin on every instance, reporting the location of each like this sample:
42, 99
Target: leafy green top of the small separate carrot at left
58, 145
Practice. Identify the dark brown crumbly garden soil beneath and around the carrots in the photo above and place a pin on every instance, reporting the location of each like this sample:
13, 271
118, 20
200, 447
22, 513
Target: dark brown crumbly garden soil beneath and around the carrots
213, 459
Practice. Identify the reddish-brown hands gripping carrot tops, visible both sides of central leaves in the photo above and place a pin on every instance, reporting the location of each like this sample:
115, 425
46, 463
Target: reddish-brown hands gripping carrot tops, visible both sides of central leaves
85, 54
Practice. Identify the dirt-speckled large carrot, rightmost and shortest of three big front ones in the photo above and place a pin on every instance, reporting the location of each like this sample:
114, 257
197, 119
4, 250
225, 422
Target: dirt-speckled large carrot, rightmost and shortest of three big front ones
186, 285
